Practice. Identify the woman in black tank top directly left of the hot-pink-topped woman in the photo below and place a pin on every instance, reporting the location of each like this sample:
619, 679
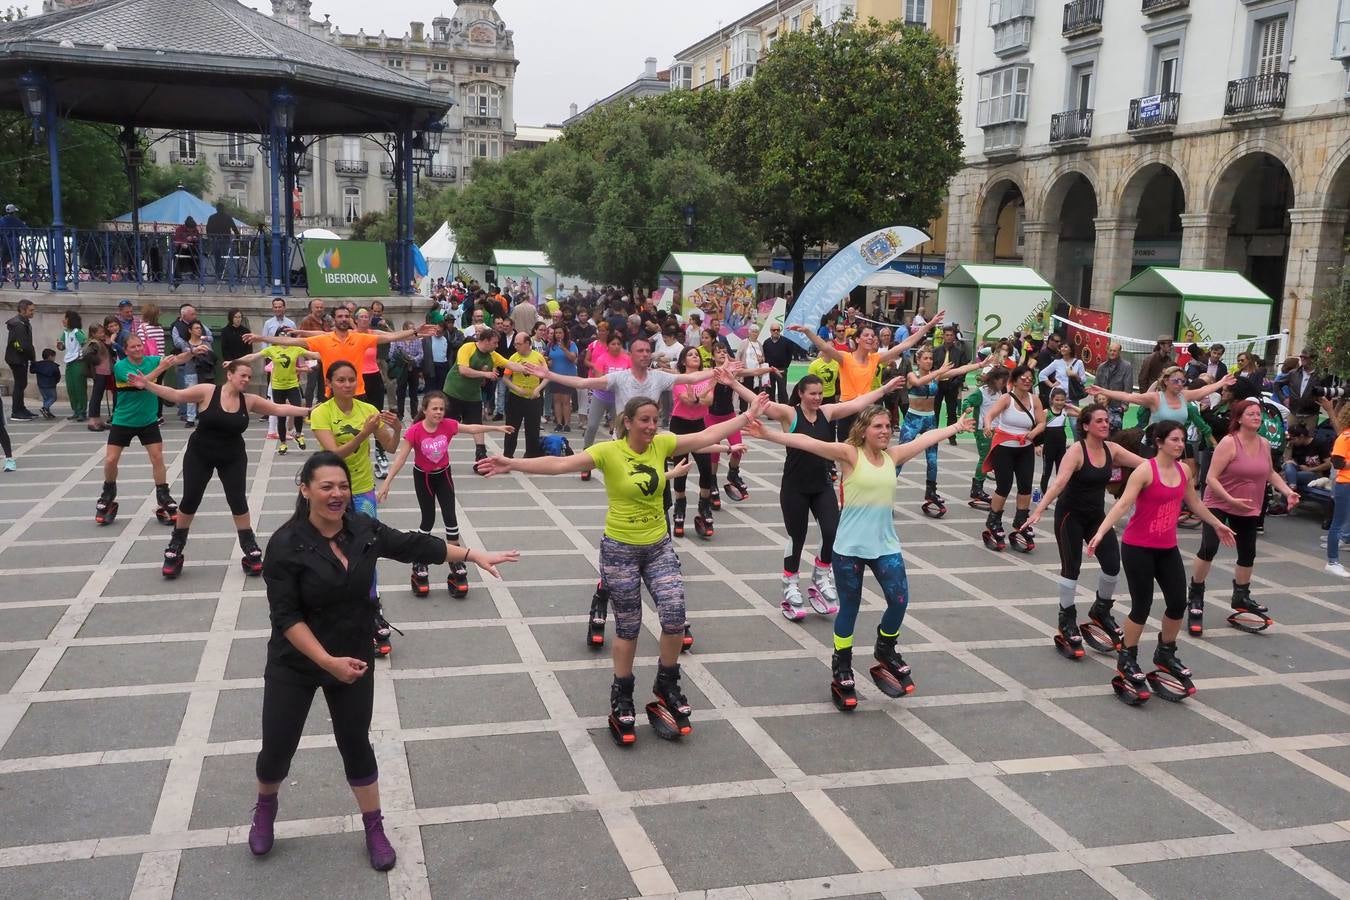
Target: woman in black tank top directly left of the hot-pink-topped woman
1081, 486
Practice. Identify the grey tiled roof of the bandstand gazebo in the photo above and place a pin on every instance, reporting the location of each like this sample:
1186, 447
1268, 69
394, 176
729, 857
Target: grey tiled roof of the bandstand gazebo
205, 64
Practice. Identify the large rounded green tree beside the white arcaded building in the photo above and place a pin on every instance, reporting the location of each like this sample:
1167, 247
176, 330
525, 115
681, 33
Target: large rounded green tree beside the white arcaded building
840, 133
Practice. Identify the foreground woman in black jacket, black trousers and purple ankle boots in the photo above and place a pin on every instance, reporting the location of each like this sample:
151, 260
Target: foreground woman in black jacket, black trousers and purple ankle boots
318, 571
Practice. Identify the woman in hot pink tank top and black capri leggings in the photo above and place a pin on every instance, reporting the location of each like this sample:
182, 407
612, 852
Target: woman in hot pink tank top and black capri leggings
1150, 555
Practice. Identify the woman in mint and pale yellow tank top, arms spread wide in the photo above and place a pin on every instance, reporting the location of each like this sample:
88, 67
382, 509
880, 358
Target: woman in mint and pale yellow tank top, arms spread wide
866, 539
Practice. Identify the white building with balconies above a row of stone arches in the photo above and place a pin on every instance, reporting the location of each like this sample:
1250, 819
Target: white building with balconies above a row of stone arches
1218, 138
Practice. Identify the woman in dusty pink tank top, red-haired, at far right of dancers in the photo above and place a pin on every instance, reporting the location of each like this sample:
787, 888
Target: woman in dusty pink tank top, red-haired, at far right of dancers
1233, 492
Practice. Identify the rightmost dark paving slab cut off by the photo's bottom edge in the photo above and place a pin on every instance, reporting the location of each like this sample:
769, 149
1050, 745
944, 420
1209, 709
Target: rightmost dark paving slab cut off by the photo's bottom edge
1224, 876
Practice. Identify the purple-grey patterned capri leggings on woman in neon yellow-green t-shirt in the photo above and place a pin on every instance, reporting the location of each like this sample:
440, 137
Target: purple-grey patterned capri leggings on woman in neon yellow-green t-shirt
626, 567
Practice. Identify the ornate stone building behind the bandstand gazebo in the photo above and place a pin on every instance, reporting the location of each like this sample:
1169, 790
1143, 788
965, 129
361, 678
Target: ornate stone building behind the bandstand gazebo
469, 56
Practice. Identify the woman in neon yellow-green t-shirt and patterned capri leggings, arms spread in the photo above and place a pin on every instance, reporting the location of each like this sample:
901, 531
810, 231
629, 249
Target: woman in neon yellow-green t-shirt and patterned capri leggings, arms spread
637, 549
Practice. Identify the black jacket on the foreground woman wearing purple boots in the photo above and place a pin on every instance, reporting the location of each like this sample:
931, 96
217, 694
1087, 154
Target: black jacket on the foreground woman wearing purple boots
307, 584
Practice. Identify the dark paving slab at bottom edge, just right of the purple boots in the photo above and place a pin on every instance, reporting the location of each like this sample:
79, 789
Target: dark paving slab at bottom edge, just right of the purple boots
483, 859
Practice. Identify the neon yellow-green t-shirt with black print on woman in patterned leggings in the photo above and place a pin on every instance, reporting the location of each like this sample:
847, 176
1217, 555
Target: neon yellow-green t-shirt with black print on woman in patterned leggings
635, 485
